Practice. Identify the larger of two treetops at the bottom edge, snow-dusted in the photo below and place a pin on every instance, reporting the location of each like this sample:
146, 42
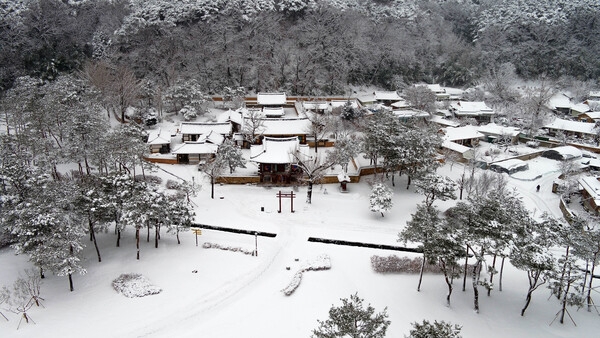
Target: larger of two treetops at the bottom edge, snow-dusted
351, 319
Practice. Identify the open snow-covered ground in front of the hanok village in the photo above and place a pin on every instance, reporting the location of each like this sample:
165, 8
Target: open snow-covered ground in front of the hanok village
218, 293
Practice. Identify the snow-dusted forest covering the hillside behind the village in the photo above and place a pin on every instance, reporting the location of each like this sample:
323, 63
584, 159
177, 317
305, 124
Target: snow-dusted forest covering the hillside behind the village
303, 47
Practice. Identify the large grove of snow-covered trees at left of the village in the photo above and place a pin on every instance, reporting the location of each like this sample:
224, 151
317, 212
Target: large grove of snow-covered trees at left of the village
46, 212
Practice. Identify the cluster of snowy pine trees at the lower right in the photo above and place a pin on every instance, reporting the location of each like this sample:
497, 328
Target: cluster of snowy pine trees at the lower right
493, 224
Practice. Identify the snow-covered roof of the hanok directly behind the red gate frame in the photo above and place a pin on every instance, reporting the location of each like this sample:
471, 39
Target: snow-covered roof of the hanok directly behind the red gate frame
278, 150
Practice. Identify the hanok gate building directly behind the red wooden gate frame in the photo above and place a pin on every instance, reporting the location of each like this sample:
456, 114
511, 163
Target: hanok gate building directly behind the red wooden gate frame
277, 158
